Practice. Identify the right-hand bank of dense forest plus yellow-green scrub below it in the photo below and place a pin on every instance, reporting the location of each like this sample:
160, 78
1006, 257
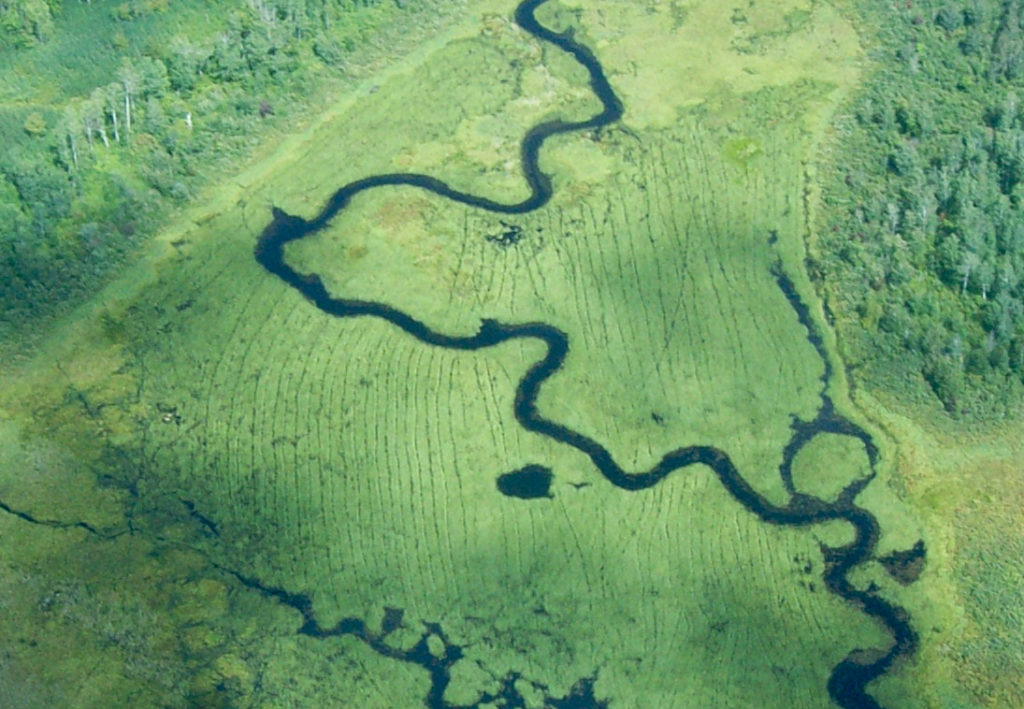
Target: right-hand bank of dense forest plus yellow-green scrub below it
916, 255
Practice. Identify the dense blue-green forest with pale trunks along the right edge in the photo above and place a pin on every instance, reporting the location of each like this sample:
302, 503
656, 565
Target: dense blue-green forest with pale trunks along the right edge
923, 246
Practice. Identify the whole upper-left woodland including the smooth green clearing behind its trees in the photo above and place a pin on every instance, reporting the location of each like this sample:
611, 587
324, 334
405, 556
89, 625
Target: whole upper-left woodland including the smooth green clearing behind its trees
112, 114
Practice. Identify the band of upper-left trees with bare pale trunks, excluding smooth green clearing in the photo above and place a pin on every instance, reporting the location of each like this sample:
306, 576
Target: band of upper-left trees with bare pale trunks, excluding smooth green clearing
87, 181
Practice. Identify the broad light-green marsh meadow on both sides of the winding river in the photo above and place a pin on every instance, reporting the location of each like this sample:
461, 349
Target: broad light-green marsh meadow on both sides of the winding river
233, 433
